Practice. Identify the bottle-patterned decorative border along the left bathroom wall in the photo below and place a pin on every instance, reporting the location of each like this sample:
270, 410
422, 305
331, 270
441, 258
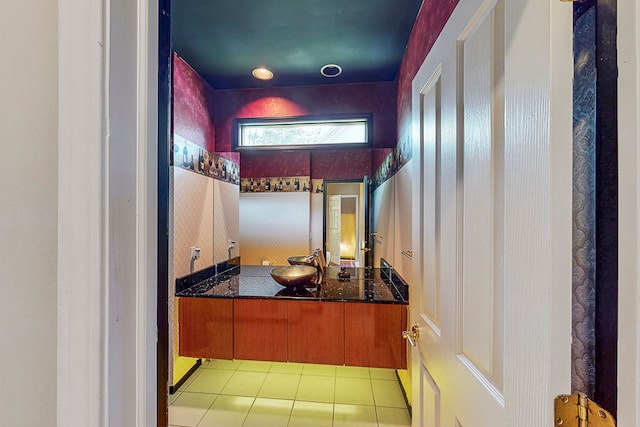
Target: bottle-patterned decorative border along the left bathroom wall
192, 157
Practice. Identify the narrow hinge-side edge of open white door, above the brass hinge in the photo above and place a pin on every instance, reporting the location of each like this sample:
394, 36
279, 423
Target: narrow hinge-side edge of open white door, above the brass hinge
561, 181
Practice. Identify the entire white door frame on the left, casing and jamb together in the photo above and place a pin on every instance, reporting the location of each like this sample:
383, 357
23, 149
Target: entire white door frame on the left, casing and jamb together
93, 324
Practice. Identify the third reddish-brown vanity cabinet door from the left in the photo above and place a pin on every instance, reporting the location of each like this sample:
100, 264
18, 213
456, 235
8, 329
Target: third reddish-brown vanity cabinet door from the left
316, 332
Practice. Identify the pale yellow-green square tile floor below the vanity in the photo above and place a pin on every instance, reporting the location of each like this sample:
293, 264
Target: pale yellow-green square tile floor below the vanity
230, 393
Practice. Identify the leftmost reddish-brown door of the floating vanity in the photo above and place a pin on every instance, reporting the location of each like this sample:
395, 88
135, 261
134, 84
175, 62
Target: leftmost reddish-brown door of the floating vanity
206, 327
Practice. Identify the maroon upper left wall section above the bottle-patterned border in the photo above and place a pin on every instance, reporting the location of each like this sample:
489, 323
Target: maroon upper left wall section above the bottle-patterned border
193, 101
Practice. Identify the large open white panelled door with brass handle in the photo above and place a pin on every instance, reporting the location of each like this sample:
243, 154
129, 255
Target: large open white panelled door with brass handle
491, 290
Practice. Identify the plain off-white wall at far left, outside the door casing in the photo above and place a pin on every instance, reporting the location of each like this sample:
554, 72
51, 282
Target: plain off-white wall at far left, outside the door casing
28, 211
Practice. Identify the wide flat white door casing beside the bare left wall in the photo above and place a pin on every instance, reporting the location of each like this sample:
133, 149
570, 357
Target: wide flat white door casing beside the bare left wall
81, 211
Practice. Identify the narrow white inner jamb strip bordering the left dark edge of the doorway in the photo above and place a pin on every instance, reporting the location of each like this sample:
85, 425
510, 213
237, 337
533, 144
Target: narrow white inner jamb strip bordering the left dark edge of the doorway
147, 213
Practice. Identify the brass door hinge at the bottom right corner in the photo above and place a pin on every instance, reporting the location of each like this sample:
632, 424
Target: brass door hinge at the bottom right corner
577, 410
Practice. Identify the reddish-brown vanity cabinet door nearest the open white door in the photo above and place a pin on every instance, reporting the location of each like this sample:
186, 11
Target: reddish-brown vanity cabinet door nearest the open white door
373, 335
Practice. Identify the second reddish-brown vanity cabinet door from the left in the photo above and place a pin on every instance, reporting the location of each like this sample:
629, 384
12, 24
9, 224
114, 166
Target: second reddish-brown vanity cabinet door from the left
260, 329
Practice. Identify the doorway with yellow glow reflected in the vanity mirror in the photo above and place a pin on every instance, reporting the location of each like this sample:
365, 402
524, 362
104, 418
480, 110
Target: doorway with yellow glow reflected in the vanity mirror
344, 223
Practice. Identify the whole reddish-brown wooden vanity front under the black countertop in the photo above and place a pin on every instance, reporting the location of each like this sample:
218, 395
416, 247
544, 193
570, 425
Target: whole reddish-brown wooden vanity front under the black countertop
334, 333
